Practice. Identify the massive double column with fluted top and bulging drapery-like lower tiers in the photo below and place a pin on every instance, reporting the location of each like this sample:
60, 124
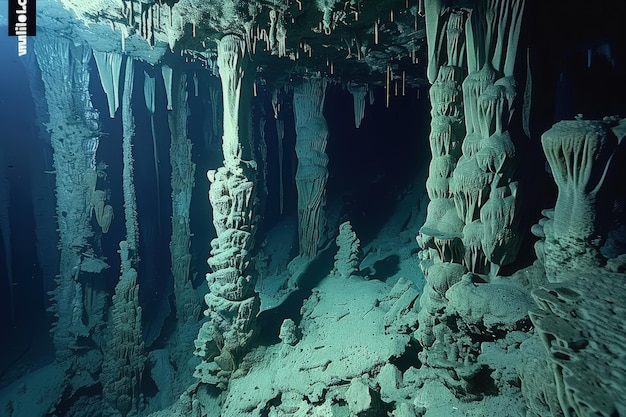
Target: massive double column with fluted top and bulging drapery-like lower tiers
471, 228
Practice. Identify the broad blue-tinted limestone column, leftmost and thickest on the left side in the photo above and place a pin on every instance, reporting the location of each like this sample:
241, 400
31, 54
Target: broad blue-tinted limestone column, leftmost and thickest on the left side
74, 134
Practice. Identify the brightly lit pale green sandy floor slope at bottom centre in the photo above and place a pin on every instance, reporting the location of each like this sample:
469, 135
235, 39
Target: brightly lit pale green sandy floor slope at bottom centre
343, 337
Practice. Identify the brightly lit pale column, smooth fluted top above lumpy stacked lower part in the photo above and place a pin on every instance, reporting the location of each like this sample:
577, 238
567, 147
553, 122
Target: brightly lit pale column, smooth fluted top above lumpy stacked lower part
232, 303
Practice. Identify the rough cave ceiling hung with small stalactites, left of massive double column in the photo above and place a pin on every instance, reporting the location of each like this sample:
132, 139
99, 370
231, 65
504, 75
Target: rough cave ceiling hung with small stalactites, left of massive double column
349, 41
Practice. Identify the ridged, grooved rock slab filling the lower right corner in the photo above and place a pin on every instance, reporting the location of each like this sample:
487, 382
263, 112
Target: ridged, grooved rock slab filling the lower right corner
581, 327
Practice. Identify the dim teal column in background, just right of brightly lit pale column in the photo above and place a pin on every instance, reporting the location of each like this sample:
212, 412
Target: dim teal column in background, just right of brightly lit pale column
311, 175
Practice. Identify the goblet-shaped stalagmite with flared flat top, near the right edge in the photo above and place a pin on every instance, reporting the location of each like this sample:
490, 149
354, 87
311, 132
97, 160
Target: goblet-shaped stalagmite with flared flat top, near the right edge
579, 153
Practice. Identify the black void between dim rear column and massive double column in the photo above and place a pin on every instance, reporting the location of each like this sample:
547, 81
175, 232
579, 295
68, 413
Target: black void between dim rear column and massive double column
370, 166
